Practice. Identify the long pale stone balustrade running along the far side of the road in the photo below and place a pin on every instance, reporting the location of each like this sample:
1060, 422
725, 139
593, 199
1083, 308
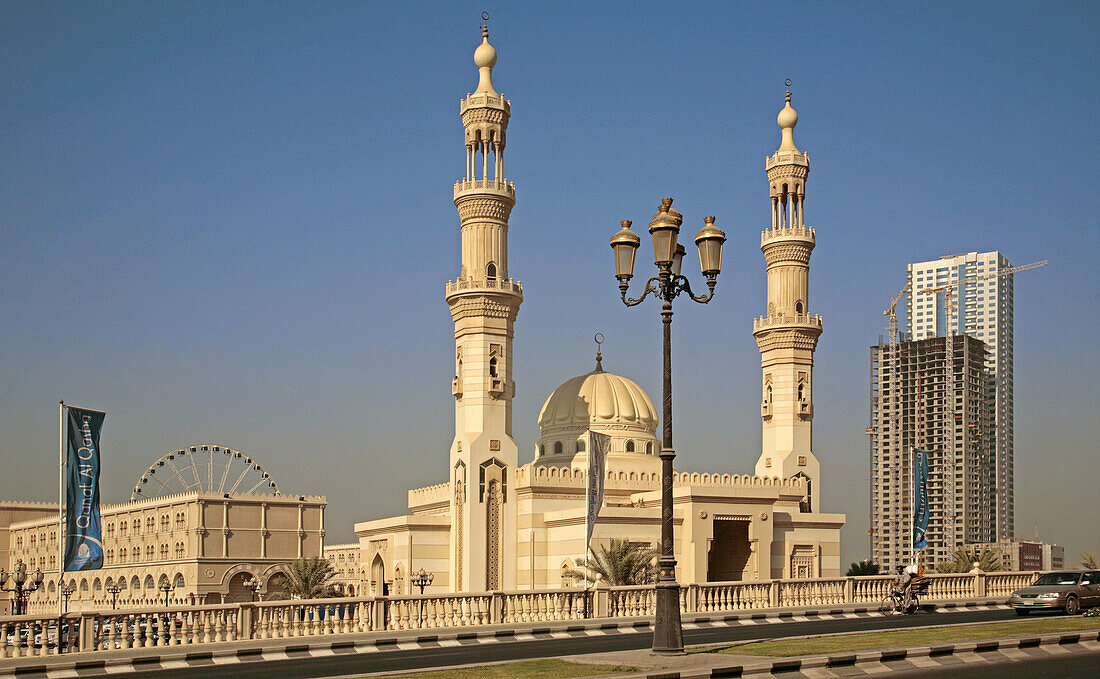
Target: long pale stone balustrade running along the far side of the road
37, 636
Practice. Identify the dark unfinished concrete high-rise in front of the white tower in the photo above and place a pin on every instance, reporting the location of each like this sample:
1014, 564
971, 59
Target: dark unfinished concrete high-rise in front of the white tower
912, 408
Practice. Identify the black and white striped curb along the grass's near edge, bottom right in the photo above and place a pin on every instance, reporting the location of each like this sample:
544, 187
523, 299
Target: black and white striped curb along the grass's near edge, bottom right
897, 660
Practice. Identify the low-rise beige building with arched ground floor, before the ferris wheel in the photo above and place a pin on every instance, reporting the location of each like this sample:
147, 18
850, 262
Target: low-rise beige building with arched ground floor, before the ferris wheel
207, 546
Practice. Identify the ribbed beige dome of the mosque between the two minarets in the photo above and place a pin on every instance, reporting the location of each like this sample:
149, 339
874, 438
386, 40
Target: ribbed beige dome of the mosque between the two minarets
596, 400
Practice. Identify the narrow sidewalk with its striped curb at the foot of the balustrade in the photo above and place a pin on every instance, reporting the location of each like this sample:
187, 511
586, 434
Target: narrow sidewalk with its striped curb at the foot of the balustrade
168, 658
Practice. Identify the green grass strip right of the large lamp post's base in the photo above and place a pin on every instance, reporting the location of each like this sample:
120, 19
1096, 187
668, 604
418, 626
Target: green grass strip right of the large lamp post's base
897, 639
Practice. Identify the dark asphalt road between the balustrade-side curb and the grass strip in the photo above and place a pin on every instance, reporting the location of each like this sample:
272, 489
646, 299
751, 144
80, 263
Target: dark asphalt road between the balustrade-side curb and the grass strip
426, 659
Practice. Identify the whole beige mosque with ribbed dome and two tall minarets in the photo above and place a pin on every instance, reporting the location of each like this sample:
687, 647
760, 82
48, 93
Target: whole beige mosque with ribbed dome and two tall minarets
496, 524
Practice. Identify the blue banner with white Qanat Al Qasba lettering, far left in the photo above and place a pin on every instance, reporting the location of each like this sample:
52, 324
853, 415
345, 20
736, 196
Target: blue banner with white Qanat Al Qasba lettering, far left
84, 543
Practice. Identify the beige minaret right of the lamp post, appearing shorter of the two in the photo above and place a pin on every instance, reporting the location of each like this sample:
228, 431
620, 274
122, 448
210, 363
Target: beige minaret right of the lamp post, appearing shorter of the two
788, 335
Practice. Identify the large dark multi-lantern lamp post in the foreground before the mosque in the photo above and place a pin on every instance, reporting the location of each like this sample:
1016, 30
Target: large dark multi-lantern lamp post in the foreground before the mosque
667, 286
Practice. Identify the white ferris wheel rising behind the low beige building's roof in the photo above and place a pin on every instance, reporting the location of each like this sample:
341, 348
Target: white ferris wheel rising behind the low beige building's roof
204, 469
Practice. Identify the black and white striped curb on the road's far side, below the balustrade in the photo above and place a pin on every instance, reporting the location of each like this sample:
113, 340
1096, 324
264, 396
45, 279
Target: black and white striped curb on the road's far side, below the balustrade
61, 667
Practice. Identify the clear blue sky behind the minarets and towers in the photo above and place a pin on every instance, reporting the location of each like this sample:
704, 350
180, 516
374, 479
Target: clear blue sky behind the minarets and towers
233, 223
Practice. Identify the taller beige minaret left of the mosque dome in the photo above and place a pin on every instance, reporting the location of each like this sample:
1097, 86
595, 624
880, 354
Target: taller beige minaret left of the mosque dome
485, 303
